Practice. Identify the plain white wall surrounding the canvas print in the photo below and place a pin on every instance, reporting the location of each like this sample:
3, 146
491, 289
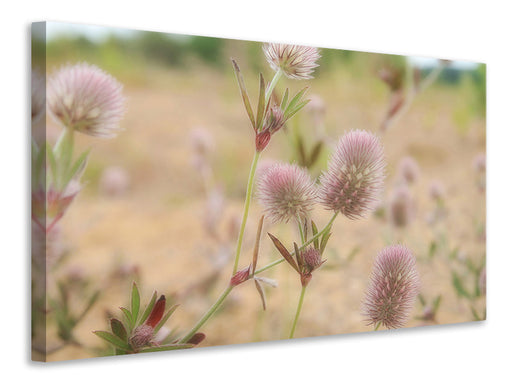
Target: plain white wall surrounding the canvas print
465, 30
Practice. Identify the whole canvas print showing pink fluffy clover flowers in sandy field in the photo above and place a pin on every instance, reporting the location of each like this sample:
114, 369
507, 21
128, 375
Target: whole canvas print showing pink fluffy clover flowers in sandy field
192, 191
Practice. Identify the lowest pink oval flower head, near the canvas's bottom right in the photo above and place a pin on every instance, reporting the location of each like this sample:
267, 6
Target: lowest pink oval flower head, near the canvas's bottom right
394, 285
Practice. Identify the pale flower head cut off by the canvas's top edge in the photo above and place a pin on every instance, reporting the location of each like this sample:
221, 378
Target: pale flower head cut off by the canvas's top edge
296, 61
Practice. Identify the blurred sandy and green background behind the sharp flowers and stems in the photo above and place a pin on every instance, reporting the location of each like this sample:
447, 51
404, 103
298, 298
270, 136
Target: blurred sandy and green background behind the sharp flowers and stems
162, 201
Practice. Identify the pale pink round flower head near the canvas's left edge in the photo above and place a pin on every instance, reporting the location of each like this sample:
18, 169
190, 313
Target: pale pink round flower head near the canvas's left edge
85, 98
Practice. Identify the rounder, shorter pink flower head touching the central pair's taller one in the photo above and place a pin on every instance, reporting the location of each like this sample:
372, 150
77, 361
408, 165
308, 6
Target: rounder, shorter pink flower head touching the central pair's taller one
286, 191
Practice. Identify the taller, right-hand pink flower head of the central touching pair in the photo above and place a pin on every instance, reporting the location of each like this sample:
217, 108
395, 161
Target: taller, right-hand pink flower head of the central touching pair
355, 175
